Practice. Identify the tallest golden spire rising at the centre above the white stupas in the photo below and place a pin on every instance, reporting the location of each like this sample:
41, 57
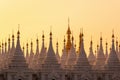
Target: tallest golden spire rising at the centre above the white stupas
68, 45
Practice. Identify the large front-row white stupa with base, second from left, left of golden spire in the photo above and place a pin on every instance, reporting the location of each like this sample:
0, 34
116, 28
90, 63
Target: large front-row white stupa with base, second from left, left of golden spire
51, 69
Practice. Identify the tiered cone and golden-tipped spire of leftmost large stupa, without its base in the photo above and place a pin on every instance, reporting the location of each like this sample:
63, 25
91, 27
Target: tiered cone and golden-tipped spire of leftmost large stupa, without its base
18, 60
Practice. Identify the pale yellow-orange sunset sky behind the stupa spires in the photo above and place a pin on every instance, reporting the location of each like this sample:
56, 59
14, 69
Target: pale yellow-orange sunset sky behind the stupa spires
35, 16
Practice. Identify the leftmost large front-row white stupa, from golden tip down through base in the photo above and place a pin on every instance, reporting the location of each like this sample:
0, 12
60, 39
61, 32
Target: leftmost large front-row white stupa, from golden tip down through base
18, 68
